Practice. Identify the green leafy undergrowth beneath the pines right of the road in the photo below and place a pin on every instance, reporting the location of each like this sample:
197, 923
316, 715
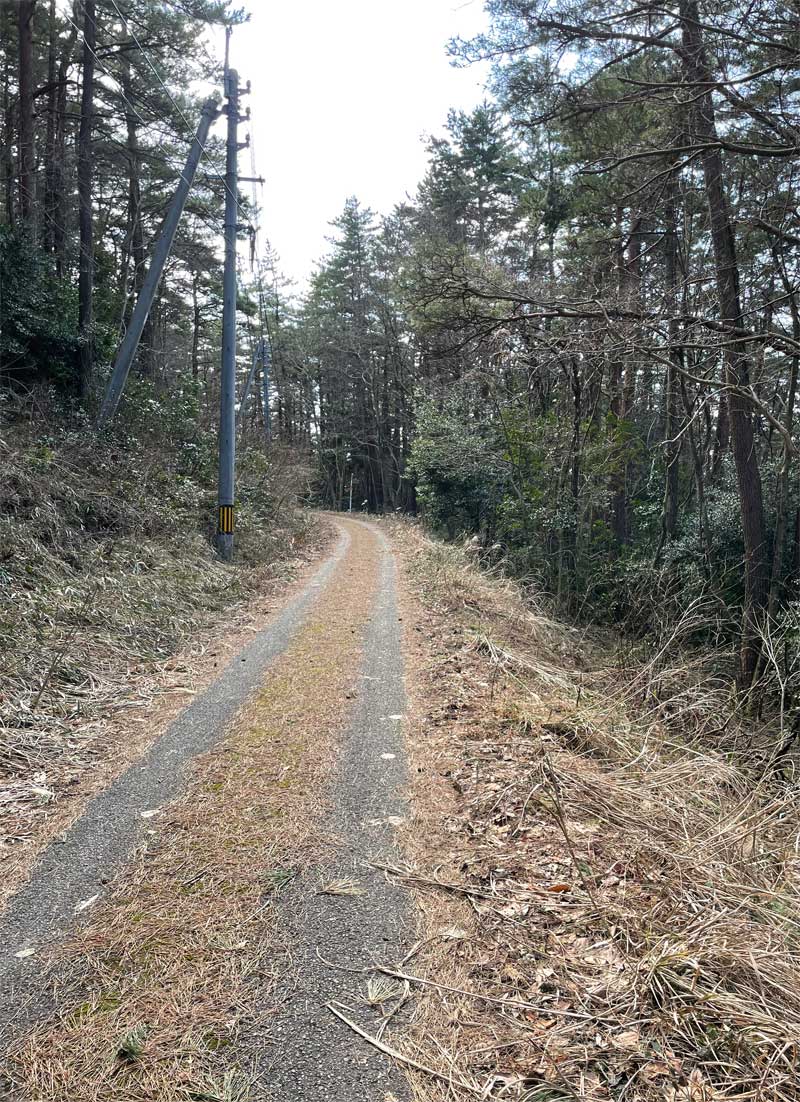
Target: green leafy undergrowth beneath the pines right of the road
518, 484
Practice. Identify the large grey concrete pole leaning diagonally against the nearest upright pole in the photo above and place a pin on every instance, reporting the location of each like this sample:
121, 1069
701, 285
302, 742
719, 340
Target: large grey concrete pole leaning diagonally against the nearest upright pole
131, 342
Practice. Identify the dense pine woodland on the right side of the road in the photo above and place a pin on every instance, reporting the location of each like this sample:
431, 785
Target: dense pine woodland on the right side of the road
581, 339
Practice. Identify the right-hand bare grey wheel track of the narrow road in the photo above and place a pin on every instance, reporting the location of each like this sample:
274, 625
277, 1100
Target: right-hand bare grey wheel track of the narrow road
302, 1052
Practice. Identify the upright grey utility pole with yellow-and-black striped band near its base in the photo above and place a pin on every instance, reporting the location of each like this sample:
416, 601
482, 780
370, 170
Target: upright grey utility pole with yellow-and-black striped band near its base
228, 385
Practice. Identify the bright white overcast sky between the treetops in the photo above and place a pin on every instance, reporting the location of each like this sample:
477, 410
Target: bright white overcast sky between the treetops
343, 92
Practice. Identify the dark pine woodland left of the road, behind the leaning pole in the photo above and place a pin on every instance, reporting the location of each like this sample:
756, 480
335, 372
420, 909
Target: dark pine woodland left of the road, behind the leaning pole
98, 120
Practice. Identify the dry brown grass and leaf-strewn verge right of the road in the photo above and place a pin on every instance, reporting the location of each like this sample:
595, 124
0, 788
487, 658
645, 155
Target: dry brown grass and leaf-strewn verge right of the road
610, 891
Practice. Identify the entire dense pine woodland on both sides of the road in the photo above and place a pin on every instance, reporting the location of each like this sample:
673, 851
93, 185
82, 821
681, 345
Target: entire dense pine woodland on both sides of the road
579, 341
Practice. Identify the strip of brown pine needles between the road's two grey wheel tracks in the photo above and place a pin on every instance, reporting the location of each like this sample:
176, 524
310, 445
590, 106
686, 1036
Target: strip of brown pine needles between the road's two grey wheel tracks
152, 993
